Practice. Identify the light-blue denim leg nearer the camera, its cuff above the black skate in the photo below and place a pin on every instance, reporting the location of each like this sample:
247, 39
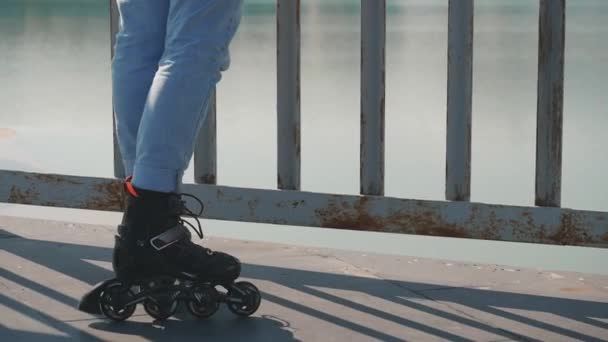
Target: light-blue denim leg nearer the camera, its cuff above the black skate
196, 51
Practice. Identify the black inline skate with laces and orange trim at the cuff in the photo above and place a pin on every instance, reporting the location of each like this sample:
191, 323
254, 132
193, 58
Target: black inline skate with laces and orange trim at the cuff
158, 265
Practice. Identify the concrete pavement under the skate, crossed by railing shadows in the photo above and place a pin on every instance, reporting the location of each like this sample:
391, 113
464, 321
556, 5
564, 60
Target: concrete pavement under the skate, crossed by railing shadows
309, 295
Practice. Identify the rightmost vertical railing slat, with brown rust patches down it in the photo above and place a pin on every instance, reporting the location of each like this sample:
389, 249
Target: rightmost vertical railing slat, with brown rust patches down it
550, 102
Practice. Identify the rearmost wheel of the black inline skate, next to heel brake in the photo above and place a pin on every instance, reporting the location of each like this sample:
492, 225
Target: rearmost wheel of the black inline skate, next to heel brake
111, 299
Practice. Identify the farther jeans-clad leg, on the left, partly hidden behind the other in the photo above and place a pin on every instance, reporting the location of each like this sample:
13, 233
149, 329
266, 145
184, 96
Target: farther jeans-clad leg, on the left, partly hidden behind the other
140, 43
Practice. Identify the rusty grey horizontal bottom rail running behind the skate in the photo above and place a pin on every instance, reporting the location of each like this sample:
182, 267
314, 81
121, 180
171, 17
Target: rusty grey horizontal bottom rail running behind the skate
369, 213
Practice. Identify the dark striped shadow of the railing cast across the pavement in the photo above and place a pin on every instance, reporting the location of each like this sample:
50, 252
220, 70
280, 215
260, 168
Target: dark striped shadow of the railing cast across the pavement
69, 259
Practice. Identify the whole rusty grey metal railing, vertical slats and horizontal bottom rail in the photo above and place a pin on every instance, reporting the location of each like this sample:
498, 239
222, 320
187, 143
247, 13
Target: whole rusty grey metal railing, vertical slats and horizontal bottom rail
456, 217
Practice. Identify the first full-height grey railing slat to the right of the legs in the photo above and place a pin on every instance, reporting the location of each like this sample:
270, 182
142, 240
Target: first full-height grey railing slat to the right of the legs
288, 94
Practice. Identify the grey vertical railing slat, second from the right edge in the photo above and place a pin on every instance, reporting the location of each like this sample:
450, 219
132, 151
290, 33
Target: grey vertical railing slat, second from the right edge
459, 100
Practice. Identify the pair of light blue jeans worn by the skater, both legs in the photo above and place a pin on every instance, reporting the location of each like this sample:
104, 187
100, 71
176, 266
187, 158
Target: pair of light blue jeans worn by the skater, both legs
169, 56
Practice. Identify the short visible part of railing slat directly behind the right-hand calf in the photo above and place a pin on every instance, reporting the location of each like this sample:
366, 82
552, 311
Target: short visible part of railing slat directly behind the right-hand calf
205, 152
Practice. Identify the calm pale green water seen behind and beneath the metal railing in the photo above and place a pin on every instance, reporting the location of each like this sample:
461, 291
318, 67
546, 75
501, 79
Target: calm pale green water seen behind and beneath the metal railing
55, 114
